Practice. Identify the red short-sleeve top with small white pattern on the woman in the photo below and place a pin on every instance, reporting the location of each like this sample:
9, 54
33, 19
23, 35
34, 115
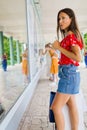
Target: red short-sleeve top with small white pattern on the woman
66, 43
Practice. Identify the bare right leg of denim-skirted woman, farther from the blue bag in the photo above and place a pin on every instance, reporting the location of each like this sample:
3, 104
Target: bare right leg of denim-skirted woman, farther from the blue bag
73, 112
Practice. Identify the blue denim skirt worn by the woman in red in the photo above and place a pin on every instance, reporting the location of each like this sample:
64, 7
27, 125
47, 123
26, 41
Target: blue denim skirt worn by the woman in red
69, 81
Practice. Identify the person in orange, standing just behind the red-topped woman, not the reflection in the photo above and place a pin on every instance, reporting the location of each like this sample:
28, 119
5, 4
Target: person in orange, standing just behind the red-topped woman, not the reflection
54, 61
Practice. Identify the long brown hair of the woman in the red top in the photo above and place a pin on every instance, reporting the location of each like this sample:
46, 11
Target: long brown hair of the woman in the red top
73, 26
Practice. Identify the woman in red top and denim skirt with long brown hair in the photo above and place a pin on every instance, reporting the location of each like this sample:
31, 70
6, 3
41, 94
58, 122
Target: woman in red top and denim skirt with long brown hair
69, 74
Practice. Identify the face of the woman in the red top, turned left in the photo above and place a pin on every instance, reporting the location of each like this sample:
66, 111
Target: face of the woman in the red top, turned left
64, 21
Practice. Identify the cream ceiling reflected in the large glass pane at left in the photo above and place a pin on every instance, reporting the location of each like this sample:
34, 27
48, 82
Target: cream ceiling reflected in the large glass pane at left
13, 19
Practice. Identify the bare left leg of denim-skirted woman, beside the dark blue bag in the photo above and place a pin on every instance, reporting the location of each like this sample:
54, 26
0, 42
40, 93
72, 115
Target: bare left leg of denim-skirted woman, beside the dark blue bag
57, 105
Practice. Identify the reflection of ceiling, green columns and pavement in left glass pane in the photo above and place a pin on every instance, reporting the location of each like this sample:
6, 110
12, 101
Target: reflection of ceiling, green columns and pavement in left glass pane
13, 42
